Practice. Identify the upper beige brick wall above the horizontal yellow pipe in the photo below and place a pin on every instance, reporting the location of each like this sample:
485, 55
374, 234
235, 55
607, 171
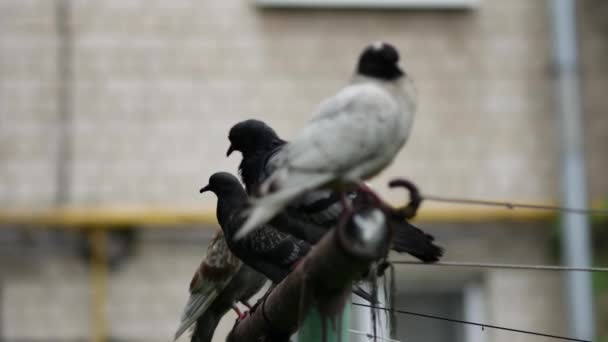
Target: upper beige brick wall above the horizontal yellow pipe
158, 84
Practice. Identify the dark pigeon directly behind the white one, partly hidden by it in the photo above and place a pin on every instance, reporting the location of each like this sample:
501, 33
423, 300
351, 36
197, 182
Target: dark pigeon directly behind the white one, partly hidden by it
311, 215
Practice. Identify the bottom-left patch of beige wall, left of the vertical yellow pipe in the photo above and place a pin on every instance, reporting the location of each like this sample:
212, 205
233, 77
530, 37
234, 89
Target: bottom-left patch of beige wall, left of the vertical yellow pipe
44, 297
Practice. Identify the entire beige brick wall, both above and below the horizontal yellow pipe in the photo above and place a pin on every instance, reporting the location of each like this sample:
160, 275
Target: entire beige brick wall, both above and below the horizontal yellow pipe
158, 84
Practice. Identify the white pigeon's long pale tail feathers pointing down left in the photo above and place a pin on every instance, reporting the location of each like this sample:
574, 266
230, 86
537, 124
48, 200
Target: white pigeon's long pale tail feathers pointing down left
265, 208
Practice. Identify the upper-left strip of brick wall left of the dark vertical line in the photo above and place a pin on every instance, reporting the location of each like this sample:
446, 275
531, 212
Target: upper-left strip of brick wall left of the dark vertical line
28, 46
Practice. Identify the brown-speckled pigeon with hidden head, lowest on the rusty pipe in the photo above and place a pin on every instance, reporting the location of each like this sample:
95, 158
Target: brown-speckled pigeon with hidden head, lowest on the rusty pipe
218, 284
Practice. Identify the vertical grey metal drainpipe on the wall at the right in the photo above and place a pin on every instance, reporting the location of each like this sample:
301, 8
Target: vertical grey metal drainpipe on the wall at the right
568, 107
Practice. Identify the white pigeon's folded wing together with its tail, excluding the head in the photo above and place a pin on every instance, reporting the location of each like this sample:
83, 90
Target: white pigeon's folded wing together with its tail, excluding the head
349, 129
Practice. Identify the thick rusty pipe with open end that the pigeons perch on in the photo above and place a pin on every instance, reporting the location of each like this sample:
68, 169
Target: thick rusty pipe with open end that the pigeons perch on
315, 294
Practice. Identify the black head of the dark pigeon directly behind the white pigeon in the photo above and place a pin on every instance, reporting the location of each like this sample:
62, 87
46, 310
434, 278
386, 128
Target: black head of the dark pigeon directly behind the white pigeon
250, 136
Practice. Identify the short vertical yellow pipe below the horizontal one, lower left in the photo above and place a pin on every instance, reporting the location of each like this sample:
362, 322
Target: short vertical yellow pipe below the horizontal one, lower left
99, 284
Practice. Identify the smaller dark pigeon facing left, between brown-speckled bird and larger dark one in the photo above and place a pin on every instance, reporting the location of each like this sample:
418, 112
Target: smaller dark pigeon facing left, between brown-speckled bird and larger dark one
267, 250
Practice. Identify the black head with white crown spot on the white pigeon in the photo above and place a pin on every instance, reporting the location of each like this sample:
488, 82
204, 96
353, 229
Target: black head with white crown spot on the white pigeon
380, 60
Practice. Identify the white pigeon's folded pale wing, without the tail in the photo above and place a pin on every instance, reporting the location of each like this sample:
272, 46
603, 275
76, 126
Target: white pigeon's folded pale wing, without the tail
348, 129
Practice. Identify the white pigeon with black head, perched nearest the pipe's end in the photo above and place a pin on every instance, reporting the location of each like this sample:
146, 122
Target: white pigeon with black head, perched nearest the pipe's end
353, 136
